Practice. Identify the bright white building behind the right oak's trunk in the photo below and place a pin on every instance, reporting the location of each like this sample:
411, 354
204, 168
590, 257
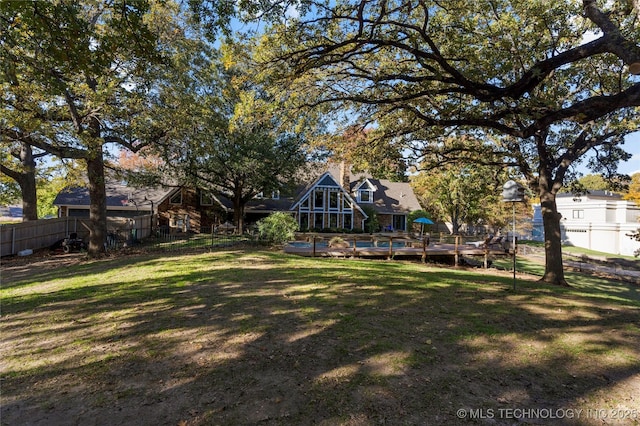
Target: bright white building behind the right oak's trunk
599, 220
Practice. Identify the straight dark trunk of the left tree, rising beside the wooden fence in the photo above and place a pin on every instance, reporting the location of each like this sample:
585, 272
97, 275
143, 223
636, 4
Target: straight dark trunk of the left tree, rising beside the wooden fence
98, 207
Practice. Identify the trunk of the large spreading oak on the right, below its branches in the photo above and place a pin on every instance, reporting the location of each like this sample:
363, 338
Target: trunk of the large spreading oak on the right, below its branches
553, 268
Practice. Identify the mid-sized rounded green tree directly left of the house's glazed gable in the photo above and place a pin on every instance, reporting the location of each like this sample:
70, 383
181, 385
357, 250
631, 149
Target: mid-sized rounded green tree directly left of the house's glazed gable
236, 142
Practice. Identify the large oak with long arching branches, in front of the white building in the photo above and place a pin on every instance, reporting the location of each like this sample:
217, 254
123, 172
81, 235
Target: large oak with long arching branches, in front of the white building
541, 83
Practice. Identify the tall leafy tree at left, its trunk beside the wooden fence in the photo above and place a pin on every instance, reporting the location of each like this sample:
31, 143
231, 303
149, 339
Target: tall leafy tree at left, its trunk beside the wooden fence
78, 76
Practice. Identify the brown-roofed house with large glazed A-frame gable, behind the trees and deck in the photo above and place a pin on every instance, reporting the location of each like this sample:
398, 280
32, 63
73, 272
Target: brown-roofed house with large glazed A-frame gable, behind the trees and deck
334, 199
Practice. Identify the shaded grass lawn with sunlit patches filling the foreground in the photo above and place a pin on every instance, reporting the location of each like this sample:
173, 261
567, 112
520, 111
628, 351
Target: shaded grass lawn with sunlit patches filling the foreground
258, 337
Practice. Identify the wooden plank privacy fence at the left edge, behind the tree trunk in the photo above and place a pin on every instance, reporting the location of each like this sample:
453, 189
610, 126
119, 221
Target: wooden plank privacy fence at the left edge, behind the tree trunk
44, 233
